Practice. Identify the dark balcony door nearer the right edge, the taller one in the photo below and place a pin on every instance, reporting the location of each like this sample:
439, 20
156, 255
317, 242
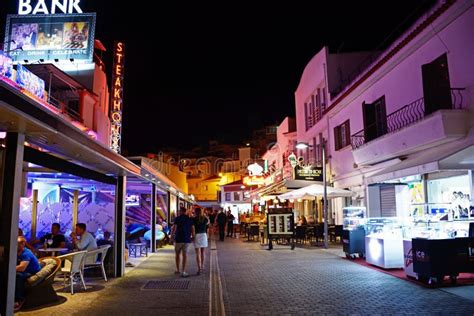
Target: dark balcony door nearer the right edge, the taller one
436, 86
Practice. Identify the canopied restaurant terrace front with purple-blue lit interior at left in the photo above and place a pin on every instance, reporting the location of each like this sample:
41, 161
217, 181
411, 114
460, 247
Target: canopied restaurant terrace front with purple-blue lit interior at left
38, 144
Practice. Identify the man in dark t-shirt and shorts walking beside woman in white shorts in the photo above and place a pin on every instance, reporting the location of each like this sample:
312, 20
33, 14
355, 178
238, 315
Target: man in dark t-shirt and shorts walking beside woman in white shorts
183, 233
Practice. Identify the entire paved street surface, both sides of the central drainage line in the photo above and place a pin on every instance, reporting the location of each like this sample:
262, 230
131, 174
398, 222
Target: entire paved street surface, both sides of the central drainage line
246, 279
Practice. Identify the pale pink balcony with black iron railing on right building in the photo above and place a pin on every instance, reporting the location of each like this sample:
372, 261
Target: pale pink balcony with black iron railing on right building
407, 129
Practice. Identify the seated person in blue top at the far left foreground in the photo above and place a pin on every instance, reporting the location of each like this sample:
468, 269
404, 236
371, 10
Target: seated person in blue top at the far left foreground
27, 265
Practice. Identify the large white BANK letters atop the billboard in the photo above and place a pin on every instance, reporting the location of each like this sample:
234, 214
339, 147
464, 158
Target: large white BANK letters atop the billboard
26, 7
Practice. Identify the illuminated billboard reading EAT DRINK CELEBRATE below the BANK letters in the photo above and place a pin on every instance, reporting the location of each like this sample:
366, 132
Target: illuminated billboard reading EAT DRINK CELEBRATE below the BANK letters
50, 38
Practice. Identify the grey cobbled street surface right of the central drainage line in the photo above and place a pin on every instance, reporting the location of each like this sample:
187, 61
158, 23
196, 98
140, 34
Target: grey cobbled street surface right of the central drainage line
315, 281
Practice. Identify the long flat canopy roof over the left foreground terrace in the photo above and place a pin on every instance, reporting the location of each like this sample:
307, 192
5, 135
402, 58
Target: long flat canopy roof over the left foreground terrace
55, 134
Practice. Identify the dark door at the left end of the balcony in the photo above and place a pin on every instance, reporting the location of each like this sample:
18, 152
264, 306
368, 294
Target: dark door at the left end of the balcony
375, 119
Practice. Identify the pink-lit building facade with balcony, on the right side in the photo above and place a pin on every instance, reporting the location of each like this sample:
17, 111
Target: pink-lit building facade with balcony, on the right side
406, 119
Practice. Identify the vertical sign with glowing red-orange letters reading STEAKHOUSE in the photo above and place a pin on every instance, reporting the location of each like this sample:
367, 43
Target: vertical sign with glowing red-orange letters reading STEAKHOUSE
117, 97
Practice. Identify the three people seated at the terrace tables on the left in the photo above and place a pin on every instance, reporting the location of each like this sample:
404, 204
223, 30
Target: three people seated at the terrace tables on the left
27, 262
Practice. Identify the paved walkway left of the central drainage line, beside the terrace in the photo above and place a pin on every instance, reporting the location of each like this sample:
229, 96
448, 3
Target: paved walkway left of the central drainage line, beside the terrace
126, 296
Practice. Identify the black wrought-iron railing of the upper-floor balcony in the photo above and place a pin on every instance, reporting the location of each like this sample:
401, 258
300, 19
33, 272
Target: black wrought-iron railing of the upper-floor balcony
407, 115
